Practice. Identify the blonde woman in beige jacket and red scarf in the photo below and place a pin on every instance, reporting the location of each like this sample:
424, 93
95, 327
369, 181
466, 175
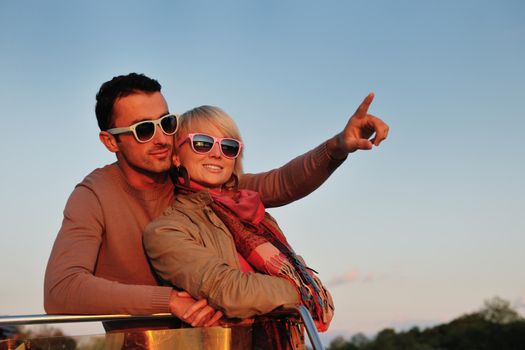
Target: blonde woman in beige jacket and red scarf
217, 242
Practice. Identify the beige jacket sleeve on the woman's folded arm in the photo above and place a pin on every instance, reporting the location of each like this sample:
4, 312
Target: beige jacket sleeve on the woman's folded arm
181, 259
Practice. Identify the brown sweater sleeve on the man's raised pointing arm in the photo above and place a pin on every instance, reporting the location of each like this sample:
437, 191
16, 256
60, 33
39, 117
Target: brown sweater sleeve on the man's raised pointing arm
294, 180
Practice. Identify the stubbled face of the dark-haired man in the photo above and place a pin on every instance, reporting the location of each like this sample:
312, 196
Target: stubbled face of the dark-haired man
152, 157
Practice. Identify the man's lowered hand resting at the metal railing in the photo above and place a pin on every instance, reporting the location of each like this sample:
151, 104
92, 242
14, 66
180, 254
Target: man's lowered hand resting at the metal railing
195, 312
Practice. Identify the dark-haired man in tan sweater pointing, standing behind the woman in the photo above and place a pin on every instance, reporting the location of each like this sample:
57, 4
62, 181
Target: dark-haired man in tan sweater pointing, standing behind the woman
98, 264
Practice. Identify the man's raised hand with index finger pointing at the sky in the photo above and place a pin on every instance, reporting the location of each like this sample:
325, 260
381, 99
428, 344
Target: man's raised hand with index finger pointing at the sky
357, 132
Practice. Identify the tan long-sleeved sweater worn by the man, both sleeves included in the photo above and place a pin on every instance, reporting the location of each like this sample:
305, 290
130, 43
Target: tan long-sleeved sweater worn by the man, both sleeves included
98, 265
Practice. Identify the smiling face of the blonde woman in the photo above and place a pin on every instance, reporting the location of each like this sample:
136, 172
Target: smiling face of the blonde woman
211, 170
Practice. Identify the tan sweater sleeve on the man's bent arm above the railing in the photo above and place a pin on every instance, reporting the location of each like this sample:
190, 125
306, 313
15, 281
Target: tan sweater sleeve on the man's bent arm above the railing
70, 286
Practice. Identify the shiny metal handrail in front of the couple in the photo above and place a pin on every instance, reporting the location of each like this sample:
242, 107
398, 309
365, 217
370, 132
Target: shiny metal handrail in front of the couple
44, 318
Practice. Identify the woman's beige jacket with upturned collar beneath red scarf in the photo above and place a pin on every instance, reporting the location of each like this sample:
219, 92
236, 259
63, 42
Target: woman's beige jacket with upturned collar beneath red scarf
192, 249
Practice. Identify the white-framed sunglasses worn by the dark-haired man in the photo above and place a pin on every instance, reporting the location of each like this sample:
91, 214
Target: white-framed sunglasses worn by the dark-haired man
144, 131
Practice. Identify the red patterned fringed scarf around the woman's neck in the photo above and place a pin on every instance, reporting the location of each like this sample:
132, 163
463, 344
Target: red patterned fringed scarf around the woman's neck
266, 249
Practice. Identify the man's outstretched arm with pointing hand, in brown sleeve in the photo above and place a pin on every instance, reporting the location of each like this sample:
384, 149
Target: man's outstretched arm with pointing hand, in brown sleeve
304, 174
